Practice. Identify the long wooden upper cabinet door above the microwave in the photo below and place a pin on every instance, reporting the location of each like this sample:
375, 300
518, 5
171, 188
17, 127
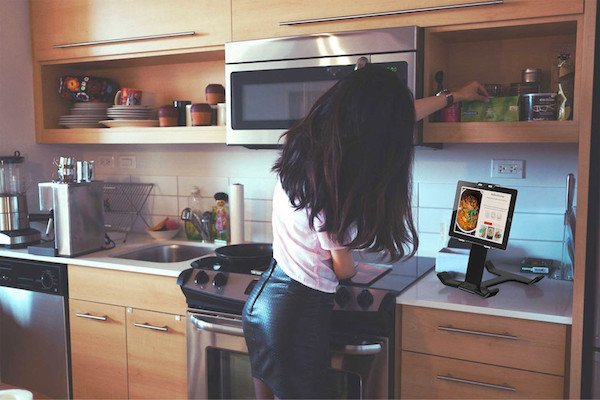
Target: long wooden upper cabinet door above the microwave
275, 18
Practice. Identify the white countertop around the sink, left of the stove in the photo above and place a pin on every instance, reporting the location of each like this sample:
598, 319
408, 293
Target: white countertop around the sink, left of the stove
103, 259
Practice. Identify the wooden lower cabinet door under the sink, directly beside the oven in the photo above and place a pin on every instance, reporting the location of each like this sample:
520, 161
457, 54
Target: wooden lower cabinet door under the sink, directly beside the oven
156, 355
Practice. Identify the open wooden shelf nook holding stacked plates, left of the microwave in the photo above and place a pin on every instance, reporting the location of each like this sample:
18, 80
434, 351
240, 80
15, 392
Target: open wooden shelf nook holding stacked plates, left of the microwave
162, 77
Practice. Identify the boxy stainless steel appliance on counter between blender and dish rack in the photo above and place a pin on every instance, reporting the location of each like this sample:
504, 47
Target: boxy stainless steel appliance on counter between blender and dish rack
77, 216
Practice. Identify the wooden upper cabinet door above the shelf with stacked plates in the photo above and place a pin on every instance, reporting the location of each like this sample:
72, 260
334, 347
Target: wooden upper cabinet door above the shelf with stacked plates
64, 29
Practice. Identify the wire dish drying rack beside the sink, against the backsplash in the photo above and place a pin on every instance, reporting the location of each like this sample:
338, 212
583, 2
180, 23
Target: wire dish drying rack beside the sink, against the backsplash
123, 204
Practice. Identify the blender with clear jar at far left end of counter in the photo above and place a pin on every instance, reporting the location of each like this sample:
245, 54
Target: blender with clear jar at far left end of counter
14, 218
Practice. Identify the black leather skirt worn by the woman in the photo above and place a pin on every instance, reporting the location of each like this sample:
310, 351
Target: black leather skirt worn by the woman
287, 327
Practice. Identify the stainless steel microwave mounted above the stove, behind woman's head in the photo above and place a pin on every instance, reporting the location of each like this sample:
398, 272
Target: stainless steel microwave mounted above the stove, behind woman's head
267, 98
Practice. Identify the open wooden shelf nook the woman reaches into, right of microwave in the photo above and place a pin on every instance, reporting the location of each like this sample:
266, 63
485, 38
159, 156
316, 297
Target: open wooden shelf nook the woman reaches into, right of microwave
496, 53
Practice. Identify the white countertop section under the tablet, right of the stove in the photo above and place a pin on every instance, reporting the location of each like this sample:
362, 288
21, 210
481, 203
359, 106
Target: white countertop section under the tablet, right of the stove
548, 300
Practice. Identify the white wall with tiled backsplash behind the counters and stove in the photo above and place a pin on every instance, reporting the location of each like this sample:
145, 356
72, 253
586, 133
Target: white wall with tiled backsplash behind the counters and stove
175, 169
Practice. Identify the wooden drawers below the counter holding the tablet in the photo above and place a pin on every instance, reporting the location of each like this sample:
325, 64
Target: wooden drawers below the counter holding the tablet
449, 354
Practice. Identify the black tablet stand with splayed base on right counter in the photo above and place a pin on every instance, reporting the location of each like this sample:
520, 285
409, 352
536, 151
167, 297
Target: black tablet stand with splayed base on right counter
473, 283
